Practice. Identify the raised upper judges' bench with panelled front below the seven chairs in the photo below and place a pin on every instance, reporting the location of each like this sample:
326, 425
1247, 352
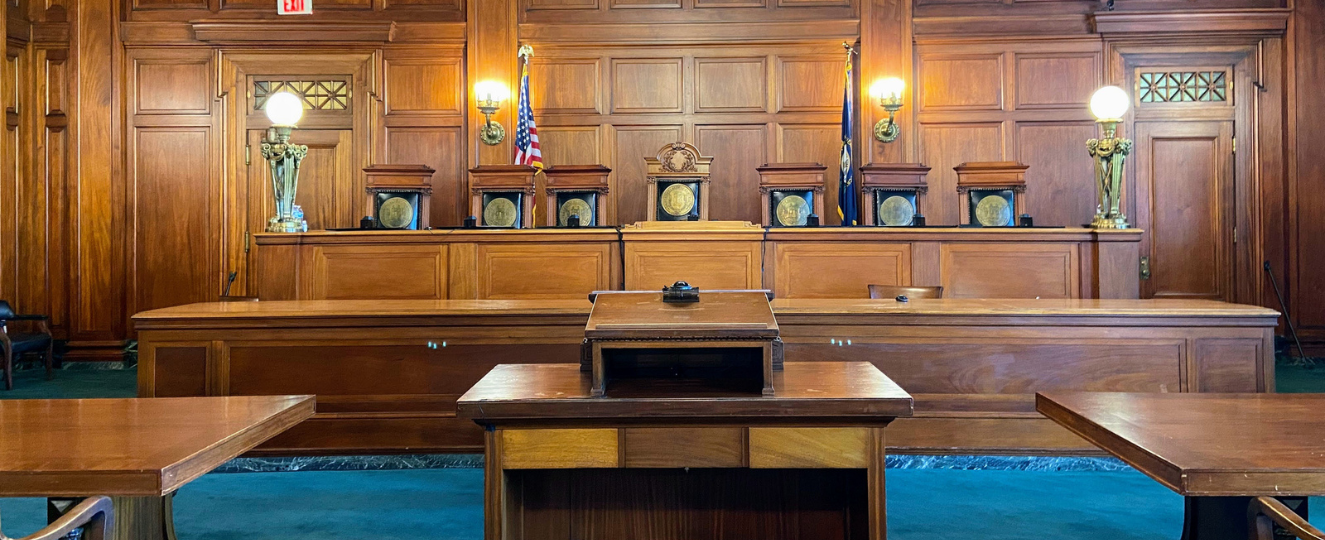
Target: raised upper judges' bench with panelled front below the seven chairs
805, 263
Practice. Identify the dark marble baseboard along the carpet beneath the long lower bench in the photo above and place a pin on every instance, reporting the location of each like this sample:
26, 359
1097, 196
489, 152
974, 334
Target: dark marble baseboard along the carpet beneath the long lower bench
474, 461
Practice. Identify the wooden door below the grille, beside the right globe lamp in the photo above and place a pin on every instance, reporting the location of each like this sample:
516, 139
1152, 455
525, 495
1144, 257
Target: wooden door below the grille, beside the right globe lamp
1185, 203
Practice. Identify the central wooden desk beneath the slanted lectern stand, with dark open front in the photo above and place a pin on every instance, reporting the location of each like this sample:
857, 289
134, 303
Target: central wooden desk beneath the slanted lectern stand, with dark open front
564, 465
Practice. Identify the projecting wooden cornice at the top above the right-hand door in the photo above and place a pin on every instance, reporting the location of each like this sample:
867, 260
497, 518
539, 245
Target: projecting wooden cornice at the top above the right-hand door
1261, 22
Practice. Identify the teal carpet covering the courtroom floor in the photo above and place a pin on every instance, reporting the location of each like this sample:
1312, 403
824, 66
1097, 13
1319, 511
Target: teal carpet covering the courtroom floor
447, 504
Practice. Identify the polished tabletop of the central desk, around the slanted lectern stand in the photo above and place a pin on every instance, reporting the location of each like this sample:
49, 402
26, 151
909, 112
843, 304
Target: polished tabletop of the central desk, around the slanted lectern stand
855, 390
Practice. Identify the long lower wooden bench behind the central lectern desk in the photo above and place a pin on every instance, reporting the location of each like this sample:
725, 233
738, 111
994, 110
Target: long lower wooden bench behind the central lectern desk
388, 374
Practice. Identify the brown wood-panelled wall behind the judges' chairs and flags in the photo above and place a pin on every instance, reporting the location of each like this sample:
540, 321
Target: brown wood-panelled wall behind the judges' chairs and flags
124, 182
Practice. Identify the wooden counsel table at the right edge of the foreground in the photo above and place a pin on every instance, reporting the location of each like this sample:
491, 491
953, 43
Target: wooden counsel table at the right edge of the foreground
1218, 451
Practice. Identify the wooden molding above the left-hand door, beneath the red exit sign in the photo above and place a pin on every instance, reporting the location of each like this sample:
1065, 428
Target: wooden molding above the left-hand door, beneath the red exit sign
250, 32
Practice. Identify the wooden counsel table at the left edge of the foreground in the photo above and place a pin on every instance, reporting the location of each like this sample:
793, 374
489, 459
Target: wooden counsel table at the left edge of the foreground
136, 451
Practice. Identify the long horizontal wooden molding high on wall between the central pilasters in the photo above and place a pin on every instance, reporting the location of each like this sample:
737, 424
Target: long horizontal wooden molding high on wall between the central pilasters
692, 32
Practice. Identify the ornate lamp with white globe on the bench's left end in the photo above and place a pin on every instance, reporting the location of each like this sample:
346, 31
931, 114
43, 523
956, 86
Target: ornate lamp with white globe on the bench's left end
284, 111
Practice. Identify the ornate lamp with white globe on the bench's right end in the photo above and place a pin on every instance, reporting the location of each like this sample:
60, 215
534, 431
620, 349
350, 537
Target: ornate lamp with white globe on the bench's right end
1108, 105
